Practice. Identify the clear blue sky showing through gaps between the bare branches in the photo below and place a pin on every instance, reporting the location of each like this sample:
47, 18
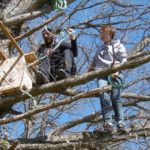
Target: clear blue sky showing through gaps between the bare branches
86, 106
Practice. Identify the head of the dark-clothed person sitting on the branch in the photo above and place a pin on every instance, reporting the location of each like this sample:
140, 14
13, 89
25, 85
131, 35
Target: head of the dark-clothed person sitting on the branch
48, 36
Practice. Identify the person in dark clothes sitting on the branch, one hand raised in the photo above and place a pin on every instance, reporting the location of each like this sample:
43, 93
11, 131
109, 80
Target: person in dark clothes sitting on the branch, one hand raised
57, 58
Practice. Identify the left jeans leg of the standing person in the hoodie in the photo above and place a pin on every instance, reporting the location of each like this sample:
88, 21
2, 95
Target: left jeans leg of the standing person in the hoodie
105, 102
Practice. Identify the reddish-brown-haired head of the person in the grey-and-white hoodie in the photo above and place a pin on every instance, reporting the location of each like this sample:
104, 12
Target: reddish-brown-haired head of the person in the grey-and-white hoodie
107, 33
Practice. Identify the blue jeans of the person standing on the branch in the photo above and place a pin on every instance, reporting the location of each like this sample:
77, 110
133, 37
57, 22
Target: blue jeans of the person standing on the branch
110, 101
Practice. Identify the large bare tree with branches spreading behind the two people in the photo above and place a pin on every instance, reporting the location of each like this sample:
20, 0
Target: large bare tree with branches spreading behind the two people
46, 126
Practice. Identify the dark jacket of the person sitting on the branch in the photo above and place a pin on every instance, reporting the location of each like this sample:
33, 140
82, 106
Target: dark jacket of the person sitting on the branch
56, 59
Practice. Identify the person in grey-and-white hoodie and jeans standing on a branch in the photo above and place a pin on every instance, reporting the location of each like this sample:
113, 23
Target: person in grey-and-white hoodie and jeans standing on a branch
111, 53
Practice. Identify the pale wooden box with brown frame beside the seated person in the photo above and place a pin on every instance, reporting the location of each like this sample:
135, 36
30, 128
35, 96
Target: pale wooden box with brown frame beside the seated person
14, 73
